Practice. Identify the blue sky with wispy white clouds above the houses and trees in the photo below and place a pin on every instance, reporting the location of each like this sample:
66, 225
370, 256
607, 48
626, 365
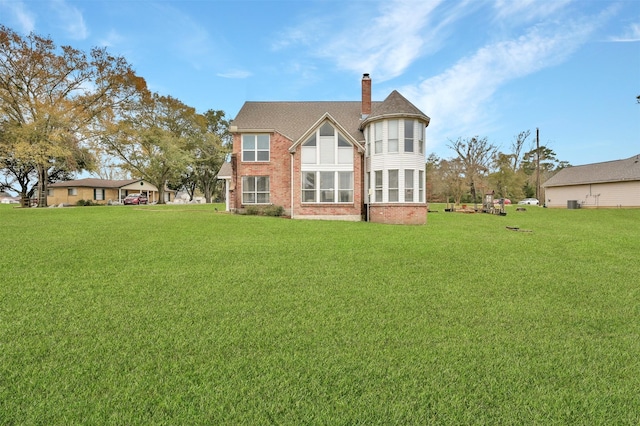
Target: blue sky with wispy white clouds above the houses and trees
489, 68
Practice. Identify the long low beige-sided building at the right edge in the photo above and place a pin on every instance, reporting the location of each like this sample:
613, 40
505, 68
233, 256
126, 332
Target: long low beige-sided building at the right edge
606, 184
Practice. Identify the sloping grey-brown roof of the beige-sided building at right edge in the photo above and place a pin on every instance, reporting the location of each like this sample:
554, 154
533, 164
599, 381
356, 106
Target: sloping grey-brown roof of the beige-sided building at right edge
608, 171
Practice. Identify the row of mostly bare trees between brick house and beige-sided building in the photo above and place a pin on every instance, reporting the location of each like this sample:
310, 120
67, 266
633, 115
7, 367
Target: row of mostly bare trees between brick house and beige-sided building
479, 168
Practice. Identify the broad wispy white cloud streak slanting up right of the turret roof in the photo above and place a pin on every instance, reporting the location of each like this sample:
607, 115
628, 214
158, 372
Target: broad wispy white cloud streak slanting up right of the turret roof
463, 94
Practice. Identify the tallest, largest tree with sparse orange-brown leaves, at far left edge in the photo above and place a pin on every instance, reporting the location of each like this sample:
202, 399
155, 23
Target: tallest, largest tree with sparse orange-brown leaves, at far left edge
49, 101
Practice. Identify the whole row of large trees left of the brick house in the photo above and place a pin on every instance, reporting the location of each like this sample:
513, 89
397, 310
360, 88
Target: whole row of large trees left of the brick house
65, 111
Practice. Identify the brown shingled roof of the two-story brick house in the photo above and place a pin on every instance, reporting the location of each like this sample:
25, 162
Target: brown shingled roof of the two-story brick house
294, 119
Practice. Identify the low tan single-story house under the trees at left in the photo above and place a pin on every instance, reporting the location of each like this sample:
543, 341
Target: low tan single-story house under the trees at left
102, 191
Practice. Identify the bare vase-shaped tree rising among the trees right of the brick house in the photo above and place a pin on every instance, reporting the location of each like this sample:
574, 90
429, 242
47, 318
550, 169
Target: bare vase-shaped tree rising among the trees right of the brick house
475, 155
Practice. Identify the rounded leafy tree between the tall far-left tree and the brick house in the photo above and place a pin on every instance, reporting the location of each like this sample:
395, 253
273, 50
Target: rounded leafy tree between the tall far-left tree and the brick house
155, 139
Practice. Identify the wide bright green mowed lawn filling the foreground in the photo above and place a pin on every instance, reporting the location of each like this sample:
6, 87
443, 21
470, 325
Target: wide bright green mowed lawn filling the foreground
184, 315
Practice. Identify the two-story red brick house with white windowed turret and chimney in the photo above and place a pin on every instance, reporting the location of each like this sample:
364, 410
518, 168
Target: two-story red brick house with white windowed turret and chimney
349, 160
